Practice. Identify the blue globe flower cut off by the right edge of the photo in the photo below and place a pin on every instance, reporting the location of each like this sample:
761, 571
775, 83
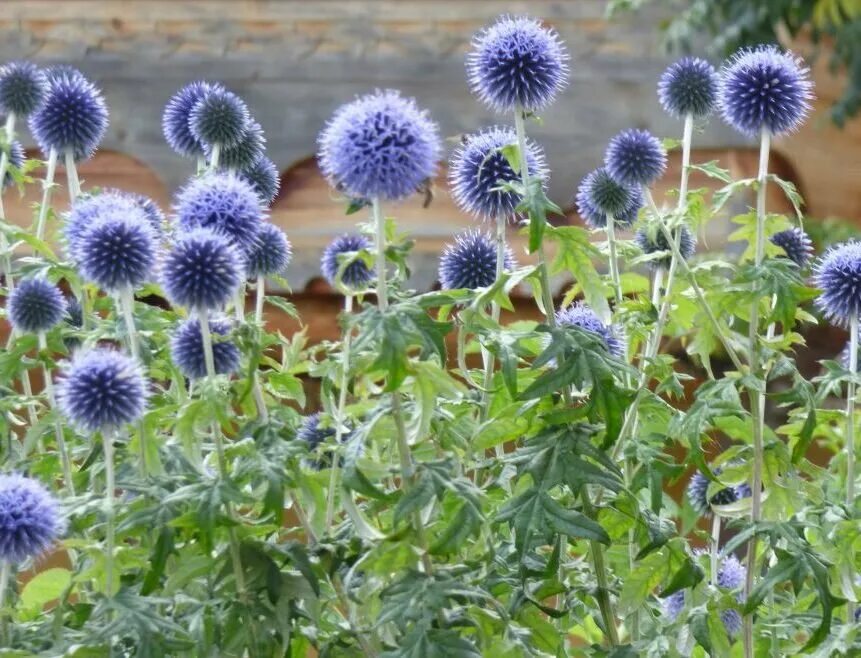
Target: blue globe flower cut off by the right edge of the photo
838, 274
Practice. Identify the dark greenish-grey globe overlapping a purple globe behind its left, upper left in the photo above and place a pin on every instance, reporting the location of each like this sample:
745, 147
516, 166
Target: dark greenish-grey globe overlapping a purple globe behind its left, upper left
219, 117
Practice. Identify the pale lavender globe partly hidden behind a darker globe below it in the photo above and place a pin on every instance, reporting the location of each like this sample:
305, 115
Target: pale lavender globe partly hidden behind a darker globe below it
224, 203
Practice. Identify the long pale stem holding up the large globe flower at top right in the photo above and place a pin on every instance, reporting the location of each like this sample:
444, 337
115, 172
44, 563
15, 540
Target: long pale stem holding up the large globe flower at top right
757, 398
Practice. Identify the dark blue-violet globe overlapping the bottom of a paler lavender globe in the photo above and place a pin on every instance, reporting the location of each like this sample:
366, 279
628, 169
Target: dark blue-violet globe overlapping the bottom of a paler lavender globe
202, 271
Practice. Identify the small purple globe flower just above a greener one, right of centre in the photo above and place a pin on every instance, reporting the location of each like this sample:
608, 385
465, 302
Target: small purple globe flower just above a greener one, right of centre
635, 157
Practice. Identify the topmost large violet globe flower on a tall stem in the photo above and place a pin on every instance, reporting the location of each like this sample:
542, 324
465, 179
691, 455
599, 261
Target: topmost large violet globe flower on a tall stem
517, 62
